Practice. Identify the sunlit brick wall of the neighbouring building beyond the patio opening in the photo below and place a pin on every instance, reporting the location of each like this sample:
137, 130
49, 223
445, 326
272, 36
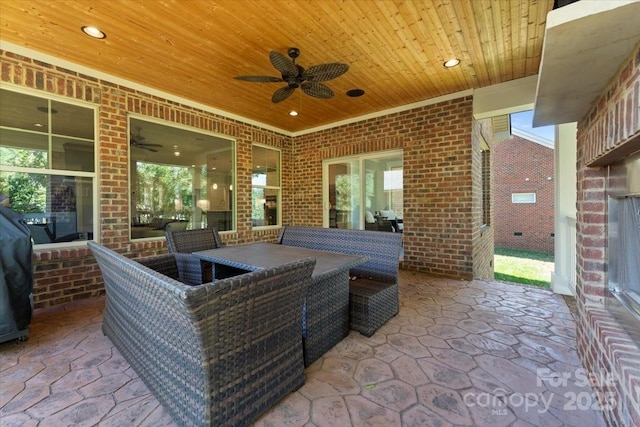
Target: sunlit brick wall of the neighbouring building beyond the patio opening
522, 166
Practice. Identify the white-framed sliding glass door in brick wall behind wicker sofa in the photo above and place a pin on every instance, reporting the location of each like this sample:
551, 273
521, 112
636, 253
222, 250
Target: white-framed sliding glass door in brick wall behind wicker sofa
358, 188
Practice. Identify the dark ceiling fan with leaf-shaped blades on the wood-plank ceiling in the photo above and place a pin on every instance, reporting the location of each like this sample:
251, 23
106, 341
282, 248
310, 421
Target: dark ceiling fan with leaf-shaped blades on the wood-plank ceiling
295, 76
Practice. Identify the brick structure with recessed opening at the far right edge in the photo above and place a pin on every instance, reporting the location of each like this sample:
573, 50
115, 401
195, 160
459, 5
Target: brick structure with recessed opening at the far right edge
608, 132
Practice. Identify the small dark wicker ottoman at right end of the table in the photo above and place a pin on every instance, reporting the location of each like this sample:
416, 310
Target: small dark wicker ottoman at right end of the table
371, 304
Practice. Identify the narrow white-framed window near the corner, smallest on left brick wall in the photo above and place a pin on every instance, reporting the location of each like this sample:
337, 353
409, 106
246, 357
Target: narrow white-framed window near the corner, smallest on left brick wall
265, 187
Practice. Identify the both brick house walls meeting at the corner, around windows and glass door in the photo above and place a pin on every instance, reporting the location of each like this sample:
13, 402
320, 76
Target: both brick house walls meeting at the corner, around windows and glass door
438, 196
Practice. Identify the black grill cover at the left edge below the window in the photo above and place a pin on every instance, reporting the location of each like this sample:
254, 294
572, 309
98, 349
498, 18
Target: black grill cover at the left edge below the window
16, 275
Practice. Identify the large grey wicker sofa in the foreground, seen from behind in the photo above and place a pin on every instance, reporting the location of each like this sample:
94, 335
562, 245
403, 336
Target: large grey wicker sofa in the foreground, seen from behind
218, 353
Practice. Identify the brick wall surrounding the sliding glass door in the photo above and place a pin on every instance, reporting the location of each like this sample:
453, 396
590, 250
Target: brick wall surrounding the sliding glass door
438, 185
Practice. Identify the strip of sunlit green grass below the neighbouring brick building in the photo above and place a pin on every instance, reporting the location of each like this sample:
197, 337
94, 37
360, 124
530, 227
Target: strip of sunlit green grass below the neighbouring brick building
522, 266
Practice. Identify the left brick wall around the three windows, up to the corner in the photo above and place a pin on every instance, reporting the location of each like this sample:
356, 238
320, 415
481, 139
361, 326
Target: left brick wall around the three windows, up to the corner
64, 275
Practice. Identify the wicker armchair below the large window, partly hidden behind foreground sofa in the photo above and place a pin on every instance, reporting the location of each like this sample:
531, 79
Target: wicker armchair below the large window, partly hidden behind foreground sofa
194, 271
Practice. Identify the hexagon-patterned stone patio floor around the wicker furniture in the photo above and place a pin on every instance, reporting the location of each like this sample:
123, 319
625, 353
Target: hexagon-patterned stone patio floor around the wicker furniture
459, 353
